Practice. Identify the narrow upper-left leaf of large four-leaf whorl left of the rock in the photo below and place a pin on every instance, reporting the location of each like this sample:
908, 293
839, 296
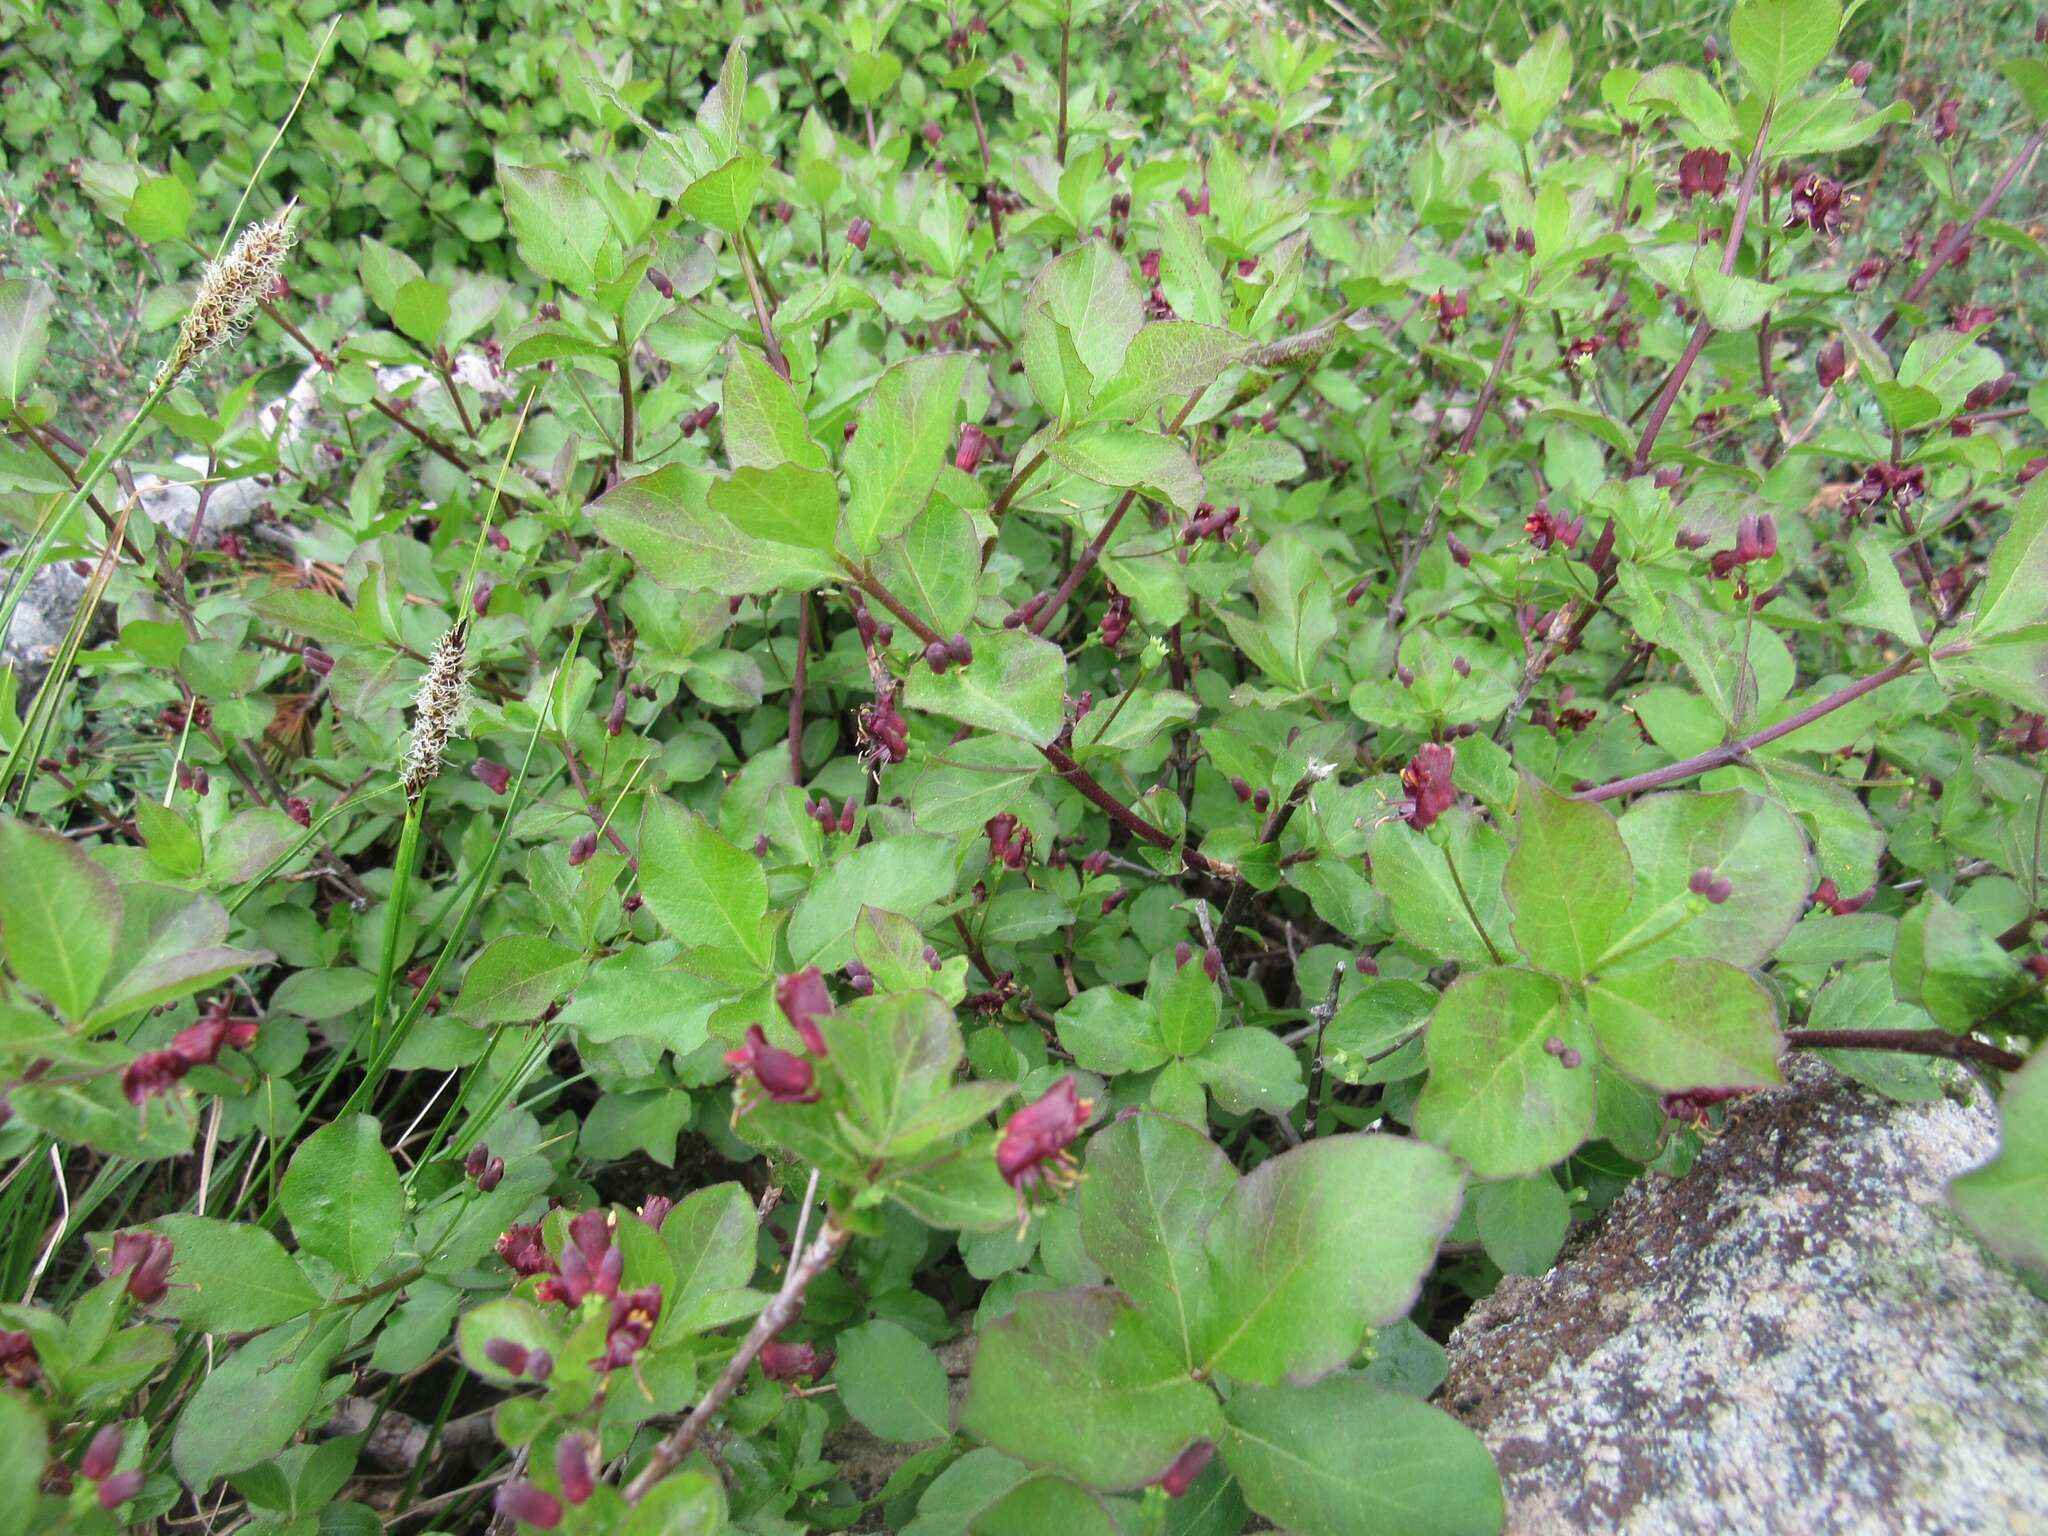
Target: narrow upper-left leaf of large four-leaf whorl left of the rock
1152, 1189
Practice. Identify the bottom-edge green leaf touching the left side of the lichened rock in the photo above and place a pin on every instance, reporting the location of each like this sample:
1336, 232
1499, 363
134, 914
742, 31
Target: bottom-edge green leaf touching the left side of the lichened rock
1351, 1459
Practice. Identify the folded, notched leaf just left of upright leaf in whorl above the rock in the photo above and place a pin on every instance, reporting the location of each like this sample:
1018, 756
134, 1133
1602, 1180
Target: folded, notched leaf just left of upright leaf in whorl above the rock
1431, 910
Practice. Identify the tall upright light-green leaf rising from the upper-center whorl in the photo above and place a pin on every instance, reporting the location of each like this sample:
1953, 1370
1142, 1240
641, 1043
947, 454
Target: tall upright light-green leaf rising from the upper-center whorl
902, 443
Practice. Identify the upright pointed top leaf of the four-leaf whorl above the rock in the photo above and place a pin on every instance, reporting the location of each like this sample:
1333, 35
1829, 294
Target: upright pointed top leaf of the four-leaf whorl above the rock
1568, 882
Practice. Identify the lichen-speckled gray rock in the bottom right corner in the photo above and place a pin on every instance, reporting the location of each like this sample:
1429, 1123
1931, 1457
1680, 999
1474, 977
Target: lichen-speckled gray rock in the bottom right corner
1799, 1336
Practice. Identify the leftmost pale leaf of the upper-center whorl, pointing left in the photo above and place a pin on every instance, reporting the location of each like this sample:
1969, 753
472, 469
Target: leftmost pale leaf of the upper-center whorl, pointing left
665, 521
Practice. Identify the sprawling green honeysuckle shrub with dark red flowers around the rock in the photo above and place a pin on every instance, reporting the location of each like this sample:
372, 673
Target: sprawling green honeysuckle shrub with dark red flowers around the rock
921, 679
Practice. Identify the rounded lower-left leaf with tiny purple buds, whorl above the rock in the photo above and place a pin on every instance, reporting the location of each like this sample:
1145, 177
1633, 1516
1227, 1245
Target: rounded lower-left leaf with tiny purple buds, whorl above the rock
1496, 1097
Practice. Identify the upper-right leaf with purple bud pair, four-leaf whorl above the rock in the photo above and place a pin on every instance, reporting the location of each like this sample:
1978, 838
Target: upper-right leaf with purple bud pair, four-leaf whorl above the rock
1746, 841
